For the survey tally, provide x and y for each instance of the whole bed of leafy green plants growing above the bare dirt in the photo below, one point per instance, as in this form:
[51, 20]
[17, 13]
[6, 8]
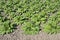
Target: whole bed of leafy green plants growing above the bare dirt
[32, 15]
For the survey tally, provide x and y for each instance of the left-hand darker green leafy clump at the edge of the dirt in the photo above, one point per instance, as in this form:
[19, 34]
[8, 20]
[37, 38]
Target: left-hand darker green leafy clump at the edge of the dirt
[5, 26]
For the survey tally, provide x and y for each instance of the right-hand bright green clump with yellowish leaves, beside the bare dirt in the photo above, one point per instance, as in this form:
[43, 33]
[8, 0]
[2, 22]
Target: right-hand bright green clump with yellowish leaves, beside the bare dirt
[53, 24]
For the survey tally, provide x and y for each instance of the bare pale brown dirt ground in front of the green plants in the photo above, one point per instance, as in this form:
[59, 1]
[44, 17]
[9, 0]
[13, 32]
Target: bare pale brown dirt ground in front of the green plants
[18, 35]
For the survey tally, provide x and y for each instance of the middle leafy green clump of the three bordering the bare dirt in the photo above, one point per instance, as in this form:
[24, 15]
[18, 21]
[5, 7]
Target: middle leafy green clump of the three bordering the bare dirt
[30, 28]
